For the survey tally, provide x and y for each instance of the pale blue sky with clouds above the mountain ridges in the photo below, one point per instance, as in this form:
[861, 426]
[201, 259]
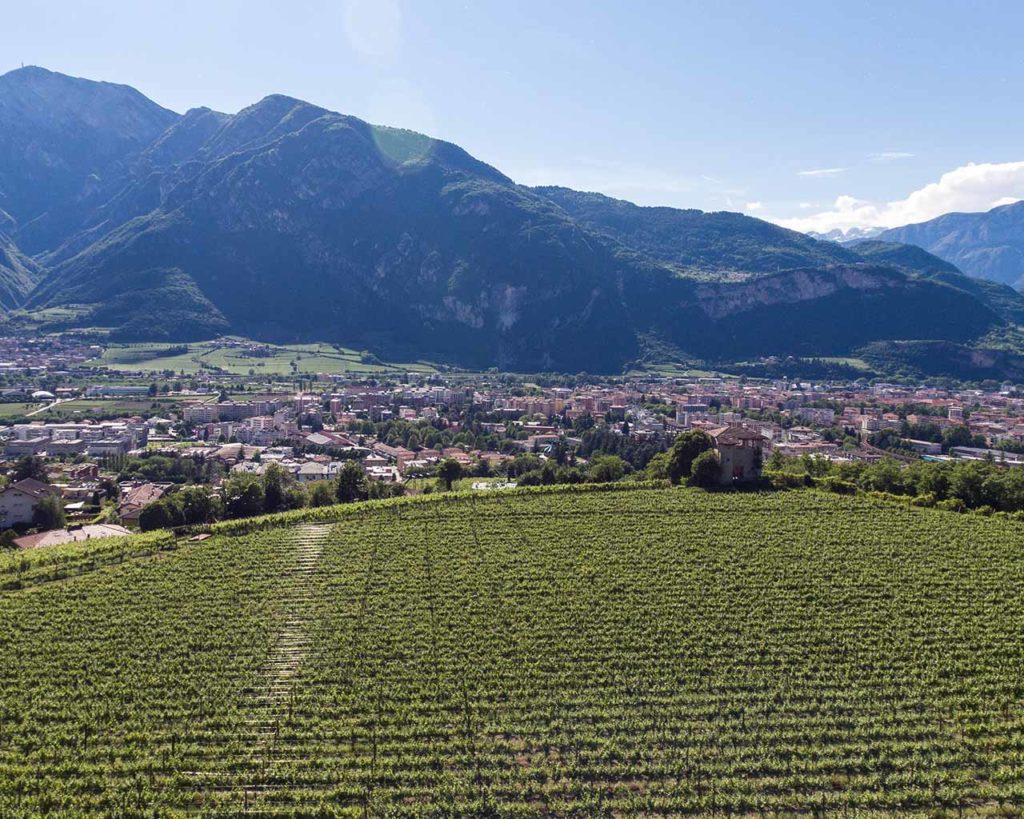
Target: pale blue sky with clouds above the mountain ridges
[817, 115]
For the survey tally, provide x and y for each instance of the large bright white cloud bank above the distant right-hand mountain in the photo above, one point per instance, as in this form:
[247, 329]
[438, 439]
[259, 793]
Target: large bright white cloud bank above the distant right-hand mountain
[970, 188]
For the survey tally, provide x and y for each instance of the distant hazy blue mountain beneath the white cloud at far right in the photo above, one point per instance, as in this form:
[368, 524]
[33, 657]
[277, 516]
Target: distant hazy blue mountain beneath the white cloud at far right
[983, 245]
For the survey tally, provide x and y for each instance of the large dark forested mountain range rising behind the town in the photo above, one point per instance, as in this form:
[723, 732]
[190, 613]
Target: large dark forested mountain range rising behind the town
[290, 223]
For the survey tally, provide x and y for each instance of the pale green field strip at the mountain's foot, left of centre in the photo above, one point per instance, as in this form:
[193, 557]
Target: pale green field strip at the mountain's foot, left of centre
[241, 358]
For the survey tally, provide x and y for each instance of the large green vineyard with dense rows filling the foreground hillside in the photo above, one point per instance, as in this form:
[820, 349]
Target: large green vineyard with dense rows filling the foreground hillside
[661, 653]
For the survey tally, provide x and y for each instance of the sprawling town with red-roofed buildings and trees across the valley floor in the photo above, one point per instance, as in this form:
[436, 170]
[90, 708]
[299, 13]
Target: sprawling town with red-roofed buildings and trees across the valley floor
[91, 452]
